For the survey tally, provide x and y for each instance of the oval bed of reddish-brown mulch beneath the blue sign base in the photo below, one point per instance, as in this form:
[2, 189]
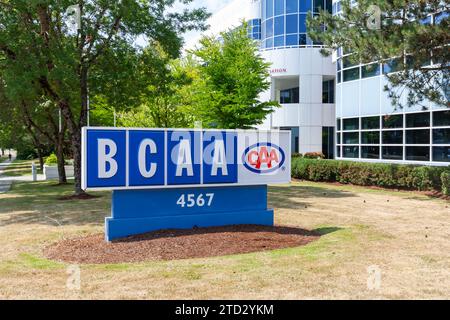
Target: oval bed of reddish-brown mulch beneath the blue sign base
[179, 244]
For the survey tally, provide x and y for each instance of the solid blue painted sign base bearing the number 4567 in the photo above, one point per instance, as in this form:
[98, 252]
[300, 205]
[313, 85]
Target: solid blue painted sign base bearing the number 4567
[139, 211]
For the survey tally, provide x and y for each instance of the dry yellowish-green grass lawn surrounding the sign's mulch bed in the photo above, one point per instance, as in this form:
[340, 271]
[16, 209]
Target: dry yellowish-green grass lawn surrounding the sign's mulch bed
[403, 234]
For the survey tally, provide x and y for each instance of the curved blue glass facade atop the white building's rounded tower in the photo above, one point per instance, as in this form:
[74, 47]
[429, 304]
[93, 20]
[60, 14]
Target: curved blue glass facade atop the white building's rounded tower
[284, 22]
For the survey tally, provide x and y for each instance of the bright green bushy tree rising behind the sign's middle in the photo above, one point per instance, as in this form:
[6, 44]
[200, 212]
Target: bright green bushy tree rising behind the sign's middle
[232, 77]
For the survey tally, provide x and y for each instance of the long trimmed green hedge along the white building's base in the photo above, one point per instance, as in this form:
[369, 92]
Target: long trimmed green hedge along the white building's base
[373, 174]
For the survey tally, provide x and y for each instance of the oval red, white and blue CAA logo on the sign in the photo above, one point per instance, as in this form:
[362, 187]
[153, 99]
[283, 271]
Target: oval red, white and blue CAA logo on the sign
[263, 157]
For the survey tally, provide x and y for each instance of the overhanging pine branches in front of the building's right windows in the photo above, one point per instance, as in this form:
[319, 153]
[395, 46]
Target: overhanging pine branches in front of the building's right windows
[410, 36]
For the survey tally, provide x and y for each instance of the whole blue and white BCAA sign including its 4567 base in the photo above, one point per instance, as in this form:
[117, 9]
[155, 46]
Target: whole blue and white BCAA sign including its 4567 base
[184, 178]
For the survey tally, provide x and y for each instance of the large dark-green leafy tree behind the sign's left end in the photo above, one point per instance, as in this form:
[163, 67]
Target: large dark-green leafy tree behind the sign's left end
[39, 50]
